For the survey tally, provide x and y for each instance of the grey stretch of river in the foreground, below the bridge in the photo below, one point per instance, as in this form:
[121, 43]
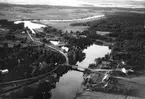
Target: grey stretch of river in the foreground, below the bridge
[67, 86]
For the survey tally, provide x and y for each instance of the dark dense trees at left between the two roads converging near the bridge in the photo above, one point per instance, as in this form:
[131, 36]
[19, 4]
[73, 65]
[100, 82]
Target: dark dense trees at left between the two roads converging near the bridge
[26, 61]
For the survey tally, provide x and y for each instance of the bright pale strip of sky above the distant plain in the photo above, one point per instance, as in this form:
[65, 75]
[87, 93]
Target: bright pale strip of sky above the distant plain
[99, 3]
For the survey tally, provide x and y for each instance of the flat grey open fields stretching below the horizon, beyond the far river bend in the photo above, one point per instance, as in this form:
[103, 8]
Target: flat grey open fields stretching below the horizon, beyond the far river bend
[18, 12]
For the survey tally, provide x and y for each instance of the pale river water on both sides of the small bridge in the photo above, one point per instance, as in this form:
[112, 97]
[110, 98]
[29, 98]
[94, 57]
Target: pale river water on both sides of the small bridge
[69, 83]
